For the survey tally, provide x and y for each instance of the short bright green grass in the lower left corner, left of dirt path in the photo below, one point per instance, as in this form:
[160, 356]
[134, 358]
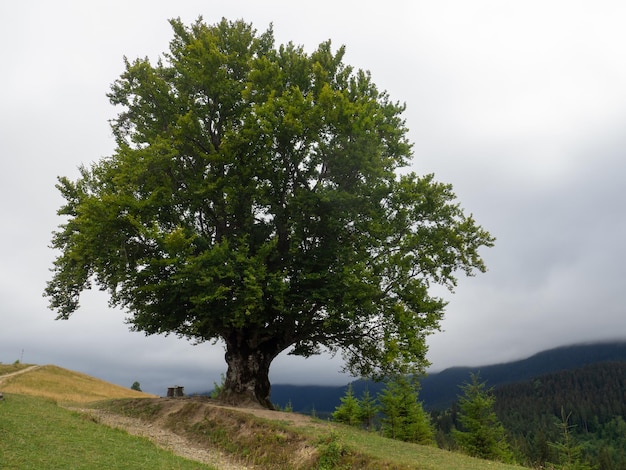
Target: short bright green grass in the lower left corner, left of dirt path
[35, 433]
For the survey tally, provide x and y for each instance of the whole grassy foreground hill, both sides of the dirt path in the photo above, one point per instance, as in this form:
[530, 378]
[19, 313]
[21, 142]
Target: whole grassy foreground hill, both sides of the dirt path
[36, 432]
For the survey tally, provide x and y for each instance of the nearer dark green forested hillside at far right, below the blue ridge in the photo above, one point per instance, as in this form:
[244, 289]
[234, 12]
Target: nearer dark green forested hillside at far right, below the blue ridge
[592, 398]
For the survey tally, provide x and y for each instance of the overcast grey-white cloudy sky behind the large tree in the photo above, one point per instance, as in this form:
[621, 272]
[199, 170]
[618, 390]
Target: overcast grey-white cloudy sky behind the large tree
[520, 105]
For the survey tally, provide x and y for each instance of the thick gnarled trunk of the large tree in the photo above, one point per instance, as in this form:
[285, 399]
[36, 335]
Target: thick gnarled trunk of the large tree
[247, 379]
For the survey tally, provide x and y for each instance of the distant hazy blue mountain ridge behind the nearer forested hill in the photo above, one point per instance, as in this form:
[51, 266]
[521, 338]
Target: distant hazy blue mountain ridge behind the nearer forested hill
[440, 390]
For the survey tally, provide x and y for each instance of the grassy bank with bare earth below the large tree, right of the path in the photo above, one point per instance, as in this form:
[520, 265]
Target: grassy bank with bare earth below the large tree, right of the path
[282, 440]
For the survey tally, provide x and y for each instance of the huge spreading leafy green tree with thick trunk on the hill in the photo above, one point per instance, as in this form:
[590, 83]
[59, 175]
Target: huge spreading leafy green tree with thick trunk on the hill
[255, 197]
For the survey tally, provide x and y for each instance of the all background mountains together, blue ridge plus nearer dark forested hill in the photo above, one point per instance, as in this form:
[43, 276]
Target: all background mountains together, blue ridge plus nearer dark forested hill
[586, 384]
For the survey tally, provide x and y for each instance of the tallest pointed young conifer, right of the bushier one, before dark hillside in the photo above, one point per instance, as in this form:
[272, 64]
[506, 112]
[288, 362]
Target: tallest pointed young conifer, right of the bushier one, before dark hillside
[481, 434]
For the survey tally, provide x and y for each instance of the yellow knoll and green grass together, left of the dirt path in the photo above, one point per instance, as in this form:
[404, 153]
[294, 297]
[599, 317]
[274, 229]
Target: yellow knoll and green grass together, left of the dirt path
[36, 432]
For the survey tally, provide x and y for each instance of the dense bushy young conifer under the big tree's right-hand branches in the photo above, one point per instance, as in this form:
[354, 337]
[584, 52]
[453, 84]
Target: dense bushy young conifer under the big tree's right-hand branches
[404, 417]
